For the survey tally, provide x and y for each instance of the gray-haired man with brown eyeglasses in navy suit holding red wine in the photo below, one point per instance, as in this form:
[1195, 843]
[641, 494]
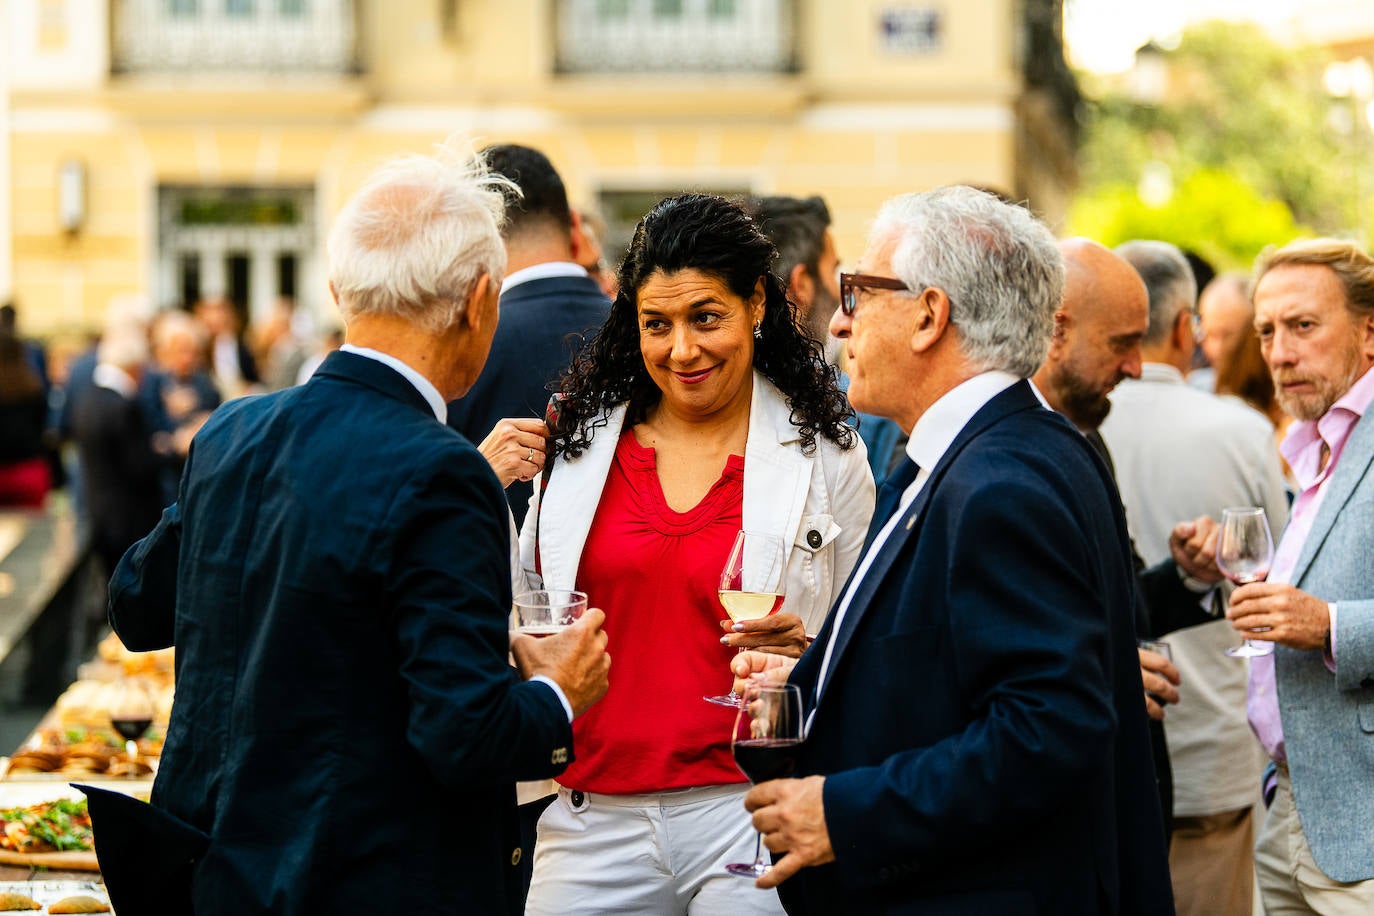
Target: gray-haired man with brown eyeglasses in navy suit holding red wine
[978, 741]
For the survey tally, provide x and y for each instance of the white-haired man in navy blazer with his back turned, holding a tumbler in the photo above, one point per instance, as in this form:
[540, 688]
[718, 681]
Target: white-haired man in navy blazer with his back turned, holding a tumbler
[348, 730]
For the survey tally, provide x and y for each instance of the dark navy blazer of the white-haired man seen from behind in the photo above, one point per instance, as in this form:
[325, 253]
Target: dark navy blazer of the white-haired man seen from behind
[347, 727]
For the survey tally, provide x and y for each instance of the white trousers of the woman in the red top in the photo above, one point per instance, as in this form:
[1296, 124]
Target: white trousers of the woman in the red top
[646, 856]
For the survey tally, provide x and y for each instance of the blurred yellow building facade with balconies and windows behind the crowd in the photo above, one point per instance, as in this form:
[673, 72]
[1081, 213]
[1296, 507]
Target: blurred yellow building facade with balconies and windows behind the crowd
[193, 148]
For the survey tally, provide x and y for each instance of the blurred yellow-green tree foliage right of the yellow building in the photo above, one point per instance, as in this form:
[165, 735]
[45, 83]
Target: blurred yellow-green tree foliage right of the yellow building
[1244, 134]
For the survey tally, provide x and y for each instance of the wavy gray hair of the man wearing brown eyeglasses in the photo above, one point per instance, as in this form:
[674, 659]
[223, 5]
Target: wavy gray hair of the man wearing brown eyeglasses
[998, 264]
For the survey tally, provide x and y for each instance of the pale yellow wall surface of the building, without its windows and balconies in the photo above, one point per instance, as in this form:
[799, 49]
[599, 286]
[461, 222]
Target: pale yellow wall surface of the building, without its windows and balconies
[857, 126]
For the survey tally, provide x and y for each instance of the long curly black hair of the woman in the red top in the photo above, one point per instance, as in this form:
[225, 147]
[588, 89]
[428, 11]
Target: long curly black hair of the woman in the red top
[717, 237]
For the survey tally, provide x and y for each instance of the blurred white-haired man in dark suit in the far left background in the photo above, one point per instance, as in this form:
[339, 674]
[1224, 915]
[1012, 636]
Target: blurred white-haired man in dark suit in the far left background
[120, 470]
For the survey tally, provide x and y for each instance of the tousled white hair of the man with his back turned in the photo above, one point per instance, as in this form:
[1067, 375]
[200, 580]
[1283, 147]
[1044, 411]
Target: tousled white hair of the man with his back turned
[417, 238]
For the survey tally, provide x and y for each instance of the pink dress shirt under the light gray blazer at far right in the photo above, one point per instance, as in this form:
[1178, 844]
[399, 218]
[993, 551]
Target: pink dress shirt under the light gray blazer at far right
[1303, 451]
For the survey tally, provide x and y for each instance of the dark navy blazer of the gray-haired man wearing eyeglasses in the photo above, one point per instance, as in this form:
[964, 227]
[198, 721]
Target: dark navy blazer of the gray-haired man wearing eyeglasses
[982, 727]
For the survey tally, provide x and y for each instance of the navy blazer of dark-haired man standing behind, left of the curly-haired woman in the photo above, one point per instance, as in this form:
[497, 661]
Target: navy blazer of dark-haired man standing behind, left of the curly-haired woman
[541, 330]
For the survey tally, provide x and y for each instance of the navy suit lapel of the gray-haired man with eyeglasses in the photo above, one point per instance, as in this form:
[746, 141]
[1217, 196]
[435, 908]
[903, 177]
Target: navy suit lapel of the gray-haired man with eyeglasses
[1019, 398]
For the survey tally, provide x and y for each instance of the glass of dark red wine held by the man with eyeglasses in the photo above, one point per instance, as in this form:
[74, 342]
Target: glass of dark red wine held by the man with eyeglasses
[767, 740]
